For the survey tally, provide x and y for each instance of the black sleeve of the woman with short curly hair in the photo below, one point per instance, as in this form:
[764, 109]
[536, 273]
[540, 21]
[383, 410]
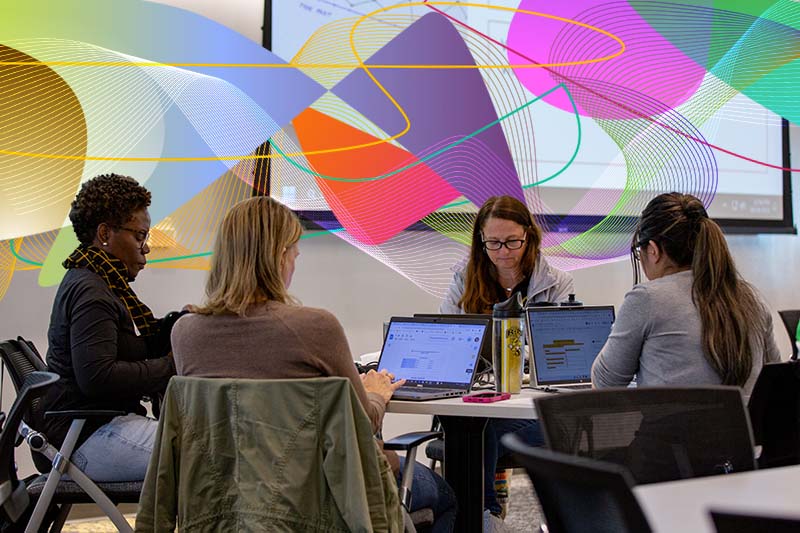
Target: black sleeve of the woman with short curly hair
[99, 371]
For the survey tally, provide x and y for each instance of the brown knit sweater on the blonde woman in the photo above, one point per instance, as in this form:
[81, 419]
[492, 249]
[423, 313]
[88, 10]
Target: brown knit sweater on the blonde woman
[274, 341]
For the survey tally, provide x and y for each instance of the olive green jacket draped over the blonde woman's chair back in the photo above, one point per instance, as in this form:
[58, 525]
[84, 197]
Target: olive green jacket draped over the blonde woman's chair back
[266, 455]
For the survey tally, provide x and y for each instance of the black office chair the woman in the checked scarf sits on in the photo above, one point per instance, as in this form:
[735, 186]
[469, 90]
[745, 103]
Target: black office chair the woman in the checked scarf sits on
[54, 495]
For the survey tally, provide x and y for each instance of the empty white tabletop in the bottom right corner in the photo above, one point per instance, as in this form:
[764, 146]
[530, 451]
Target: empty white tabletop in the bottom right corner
[684, 505]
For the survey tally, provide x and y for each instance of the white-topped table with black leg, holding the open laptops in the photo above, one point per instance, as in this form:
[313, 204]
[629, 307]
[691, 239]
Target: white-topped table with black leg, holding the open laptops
[463, 424]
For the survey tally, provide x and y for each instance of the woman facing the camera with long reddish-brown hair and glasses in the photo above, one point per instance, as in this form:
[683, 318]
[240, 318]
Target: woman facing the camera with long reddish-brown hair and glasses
[504, 258]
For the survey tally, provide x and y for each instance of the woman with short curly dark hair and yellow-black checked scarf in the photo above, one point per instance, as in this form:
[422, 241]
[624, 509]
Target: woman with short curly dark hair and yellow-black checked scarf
[103, 341]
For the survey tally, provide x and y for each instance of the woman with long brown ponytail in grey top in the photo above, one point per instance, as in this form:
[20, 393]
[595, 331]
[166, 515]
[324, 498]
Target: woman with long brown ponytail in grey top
[696, 321]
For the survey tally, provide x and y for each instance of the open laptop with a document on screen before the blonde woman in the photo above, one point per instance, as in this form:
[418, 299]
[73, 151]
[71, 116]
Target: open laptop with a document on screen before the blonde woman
[436, 356]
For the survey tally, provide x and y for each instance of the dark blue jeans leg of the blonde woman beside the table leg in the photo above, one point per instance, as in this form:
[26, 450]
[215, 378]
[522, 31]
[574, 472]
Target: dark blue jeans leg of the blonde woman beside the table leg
[430, 491]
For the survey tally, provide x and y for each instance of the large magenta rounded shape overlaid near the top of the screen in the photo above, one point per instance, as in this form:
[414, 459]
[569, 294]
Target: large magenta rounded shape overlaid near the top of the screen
[651, 65]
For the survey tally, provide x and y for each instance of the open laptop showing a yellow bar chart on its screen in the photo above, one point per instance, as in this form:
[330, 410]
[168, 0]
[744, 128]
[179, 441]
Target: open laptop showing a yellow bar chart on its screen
[563, 342]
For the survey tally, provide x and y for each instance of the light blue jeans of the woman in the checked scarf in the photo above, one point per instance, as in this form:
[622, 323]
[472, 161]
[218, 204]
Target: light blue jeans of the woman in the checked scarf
[119, 450]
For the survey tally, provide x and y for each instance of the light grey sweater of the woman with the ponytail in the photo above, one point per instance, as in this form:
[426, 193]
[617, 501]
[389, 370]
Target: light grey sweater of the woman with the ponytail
[657, 336]
